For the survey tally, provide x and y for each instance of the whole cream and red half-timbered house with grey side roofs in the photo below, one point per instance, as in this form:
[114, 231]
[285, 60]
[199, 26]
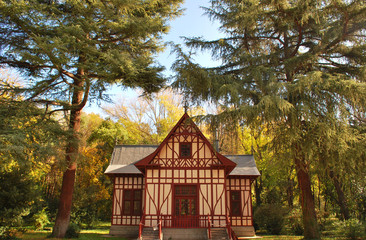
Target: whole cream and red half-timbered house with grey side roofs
[181, 189]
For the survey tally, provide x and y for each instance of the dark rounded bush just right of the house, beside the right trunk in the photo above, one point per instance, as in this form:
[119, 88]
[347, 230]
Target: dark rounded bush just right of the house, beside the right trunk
[270, 217]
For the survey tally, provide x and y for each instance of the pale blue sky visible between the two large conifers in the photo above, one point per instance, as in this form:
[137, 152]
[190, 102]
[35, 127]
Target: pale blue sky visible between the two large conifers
[192, 23]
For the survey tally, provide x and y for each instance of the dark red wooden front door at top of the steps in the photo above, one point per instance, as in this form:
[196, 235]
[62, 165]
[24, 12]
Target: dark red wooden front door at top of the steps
[185, 206]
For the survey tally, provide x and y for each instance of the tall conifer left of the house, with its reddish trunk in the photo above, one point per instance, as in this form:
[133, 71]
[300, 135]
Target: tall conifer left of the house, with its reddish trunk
[72, 50]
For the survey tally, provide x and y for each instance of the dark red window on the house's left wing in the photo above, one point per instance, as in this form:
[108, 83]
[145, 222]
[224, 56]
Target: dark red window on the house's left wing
[132, 200]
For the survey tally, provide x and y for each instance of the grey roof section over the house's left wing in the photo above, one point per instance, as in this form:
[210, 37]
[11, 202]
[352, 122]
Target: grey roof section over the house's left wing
[124, 156]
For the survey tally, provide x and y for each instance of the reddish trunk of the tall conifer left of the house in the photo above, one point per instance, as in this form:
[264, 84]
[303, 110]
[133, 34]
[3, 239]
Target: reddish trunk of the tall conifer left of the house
[72, 151]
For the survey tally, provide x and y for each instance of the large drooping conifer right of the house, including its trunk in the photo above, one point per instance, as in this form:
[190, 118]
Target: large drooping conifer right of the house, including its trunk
[299, 65]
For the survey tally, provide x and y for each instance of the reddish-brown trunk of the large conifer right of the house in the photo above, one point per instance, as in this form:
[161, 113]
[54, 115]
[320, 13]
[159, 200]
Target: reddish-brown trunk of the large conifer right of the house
[311, 230]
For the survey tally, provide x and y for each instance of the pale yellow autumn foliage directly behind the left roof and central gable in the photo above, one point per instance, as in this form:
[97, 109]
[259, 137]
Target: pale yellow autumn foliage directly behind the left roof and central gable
[147, 120]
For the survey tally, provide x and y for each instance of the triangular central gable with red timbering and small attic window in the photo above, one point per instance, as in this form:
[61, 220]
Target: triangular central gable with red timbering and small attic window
[185, 147]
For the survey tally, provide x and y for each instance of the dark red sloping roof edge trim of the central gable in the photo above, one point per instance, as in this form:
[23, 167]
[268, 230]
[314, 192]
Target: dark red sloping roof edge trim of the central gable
[229, 165]
